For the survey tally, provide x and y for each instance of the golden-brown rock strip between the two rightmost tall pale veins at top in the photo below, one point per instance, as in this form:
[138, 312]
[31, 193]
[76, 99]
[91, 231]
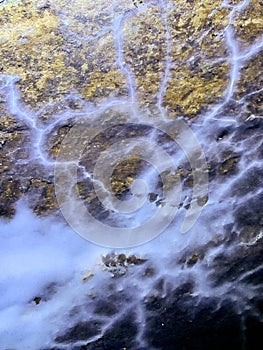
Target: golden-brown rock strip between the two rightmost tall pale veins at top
[197, 78]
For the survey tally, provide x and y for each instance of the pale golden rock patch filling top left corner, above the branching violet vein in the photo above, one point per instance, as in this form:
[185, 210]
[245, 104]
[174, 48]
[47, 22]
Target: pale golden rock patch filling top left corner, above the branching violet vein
[49, 59]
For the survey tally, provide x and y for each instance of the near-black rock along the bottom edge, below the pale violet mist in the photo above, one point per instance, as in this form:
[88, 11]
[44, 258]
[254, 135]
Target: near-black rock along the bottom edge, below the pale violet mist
[180, 320]
